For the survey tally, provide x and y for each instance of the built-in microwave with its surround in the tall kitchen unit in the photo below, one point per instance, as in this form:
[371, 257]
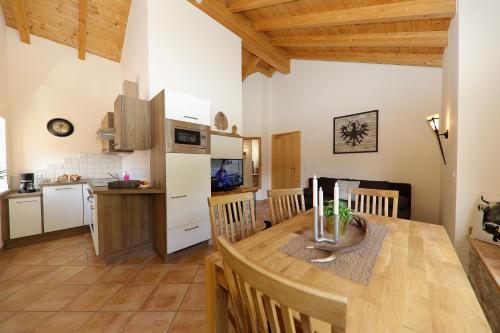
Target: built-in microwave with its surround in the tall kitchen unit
[187, 138]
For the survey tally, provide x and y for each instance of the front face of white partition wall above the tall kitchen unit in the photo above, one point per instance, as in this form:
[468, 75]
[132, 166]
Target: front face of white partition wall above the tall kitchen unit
[192, 53]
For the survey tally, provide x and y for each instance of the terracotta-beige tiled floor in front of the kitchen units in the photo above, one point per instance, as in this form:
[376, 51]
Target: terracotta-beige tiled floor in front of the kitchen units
[61, 286]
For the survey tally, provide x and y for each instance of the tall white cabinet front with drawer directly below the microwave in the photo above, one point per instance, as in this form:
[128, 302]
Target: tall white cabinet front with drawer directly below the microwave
[188, 187]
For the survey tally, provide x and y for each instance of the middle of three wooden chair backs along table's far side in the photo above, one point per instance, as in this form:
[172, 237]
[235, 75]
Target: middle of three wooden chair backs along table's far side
[285, 204]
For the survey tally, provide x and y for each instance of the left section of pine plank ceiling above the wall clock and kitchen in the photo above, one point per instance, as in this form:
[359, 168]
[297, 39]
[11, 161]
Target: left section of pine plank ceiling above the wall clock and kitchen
[93, 26]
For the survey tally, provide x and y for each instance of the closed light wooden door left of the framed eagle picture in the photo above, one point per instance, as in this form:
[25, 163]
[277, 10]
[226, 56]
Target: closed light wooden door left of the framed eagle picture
[286, 160]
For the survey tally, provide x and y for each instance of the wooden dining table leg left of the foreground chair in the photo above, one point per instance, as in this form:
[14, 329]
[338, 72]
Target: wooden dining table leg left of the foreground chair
[217, 301]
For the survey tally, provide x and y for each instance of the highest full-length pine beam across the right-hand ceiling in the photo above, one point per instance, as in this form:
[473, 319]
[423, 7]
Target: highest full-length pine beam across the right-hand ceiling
[397, 11]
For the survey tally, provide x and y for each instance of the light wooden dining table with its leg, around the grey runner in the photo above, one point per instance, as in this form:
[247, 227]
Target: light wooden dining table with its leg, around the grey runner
[417, 283]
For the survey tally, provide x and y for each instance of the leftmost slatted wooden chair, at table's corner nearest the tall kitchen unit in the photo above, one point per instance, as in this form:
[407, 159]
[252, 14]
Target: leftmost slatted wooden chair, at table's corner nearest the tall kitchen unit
[232, 216]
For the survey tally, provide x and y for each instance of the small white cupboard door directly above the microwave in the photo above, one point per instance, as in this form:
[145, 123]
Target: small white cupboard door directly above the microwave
[188, 108]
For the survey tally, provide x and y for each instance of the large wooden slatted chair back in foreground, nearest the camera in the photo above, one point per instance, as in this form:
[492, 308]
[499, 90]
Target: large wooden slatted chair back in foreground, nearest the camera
[263, 300]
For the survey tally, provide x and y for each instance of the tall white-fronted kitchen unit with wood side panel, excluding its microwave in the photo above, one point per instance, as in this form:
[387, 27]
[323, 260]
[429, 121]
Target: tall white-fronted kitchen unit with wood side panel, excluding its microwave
[185, 176]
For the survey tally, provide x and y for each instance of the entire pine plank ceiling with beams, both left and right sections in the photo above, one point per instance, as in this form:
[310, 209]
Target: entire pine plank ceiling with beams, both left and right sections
[403, 32]
